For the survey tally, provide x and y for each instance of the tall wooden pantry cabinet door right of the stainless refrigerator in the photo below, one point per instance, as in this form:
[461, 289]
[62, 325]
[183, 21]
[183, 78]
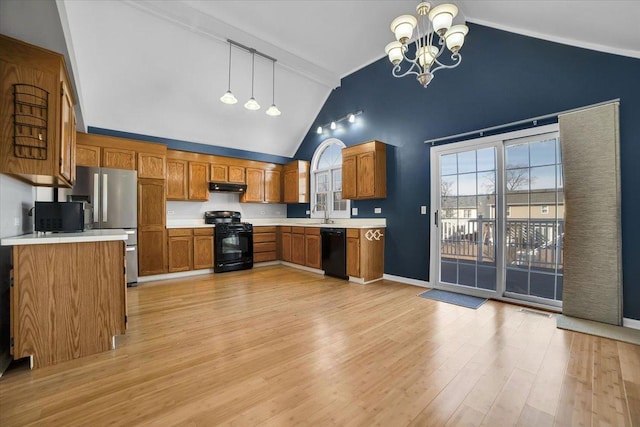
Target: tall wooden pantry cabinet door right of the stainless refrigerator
[152, 255]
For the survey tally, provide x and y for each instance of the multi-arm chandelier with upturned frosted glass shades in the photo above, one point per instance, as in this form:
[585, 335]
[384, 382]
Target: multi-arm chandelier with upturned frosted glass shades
[438, 20]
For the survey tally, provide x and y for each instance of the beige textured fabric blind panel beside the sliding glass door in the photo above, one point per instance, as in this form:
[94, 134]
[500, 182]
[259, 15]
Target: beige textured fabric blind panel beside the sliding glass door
[592, 240]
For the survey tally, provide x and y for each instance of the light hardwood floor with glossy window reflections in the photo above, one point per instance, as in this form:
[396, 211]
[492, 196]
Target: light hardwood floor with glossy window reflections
[276, 346]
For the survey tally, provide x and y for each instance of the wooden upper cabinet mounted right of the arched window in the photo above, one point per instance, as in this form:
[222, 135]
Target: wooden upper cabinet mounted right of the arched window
[364, 171]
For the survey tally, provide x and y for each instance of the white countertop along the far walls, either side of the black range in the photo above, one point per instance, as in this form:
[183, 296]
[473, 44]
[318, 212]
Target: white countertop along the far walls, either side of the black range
[296, 222]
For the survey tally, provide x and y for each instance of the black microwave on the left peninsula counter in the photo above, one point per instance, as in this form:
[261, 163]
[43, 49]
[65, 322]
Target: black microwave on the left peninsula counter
[59, 216]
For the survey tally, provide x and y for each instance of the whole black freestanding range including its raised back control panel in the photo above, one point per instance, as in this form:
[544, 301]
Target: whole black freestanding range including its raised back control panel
[232, 242]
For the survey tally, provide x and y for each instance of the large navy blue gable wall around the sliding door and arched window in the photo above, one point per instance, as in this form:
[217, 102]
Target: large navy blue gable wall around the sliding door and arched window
[503, 78]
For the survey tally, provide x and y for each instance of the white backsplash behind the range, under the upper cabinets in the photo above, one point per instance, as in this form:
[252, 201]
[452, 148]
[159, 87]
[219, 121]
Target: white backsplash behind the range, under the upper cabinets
[221, 202]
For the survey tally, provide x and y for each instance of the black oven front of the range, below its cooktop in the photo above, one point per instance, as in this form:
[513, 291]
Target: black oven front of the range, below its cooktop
[233, 250]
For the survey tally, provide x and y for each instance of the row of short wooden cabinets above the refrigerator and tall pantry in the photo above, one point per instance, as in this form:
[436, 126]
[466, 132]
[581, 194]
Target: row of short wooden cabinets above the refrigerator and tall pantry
[149, 159]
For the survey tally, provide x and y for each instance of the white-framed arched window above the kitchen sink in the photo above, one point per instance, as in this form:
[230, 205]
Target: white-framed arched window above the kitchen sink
[326, 181]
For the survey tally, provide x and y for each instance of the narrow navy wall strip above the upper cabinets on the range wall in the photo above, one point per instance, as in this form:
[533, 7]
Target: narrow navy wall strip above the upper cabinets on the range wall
[176, 144]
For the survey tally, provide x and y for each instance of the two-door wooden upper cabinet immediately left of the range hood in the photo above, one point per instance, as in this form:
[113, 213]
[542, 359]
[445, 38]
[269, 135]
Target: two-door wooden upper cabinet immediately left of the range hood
[187, 176]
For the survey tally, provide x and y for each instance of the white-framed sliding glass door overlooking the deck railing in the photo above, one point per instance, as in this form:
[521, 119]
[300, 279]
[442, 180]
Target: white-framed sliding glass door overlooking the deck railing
[498, 216]
